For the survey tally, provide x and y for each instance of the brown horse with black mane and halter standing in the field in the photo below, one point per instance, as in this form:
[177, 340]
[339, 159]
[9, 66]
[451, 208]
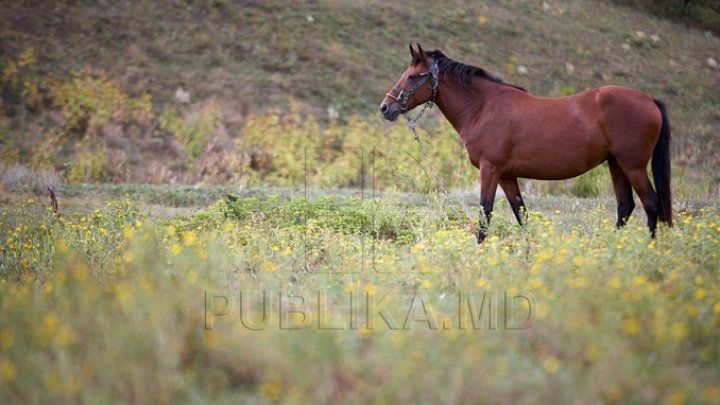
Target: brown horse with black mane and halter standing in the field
[509, 133]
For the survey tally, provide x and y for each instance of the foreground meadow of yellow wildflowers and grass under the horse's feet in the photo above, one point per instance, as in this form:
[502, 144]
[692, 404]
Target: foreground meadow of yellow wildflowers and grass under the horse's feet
[332, 298]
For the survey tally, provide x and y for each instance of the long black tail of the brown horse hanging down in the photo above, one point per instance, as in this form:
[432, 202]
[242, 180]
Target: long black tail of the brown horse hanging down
[661, 167]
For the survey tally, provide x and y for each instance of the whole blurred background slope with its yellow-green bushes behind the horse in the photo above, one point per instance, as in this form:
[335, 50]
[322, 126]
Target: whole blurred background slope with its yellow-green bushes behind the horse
[228, 92]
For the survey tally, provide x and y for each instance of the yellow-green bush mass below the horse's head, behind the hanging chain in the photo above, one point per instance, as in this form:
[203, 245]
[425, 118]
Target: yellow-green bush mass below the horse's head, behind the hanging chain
[292, 150]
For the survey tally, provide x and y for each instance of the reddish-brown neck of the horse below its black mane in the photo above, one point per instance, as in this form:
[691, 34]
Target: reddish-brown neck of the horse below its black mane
[462, 105]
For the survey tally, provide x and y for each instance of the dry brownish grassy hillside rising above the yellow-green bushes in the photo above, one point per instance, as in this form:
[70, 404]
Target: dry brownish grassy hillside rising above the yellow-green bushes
[184, 61]
